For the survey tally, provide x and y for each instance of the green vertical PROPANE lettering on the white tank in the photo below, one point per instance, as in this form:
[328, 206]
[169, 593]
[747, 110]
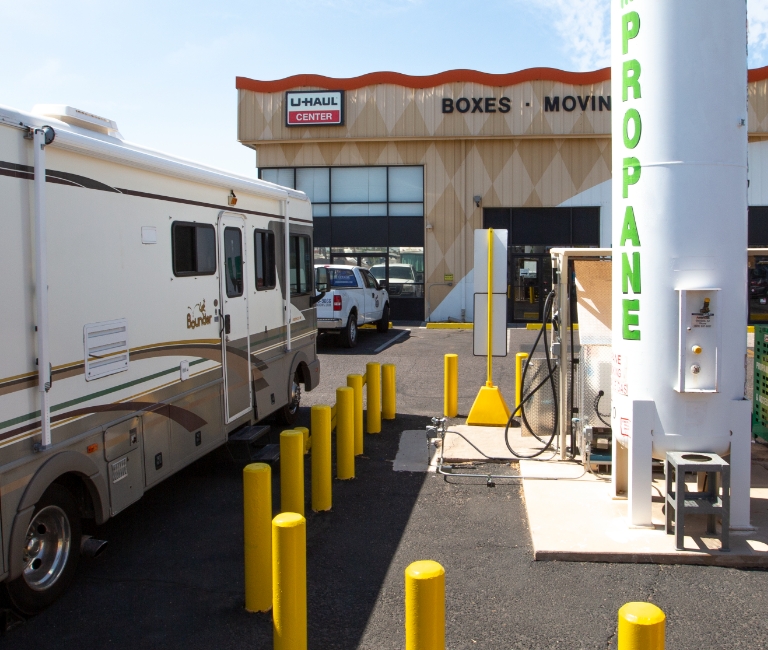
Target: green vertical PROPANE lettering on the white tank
[631, 172]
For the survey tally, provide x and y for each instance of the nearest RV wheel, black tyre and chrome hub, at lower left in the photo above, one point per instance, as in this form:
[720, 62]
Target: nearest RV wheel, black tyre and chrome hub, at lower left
[51, 553]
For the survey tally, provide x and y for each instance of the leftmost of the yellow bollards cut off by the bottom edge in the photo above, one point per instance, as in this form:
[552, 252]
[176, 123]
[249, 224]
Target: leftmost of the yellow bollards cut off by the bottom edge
[289, 581]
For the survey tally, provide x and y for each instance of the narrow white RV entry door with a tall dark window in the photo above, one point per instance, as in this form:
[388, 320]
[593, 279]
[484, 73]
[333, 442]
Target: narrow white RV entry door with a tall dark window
[236, 349]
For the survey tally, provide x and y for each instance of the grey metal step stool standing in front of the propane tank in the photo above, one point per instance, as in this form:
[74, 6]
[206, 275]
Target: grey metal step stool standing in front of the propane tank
[705, 502]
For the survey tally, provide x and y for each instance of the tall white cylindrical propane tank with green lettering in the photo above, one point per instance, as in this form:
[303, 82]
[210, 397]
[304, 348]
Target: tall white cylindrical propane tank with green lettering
[679, 87]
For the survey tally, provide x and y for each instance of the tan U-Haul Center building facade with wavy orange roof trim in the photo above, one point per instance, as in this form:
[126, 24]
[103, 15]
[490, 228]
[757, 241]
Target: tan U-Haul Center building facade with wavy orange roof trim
[401, 170]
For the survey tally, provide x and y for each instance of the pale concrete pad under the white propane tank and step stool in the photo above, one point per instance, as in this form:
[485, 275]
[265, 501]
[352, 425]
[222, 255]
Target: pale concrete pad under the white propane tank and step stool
[573, 518]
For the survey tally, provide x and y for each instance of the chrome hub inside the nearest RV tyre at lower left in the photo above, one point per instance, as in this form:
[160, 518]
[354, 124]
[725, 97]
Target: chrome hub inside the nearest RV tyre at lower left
[47, 548]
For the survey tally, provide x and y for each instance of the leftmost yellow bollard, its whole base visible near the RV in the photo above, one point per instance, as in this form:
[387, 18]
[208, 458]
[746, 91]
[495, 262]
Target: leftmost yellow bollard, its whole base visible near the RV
[257, 521]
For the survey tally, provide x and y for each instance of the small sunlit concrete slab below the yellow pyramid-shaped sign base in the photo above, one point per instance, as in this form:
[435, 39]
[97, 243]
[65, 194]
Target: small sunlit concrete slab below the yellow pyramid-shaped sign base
[490, 440]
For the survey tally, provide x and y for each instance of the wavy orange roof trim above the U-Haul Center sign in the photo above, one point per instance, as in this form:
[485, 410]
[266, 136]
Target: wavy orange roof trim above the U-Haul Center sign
[430, 81]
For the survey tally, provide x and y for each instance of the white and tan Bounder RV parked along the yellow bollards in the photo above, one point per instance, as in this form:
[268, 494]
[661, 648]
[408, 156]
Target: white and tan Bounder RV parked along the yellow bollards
[152, 307]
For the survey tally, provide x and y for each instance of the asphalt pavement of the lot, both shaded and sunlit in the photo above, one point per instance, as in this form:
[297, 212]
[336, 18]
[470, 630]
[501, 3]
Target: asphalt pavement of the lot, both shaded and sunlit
[172, 576]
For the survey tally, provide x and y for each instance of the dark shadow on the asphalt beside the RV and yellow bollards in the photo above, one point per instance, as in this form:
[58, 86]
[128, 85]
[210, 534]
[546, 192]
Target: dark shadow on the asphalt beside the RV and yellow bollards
[172, 575]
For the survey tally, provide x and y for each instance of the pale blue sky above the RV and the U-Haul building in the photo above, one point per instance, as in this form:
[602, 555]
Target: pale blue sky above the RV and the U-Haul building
[165, 71]
